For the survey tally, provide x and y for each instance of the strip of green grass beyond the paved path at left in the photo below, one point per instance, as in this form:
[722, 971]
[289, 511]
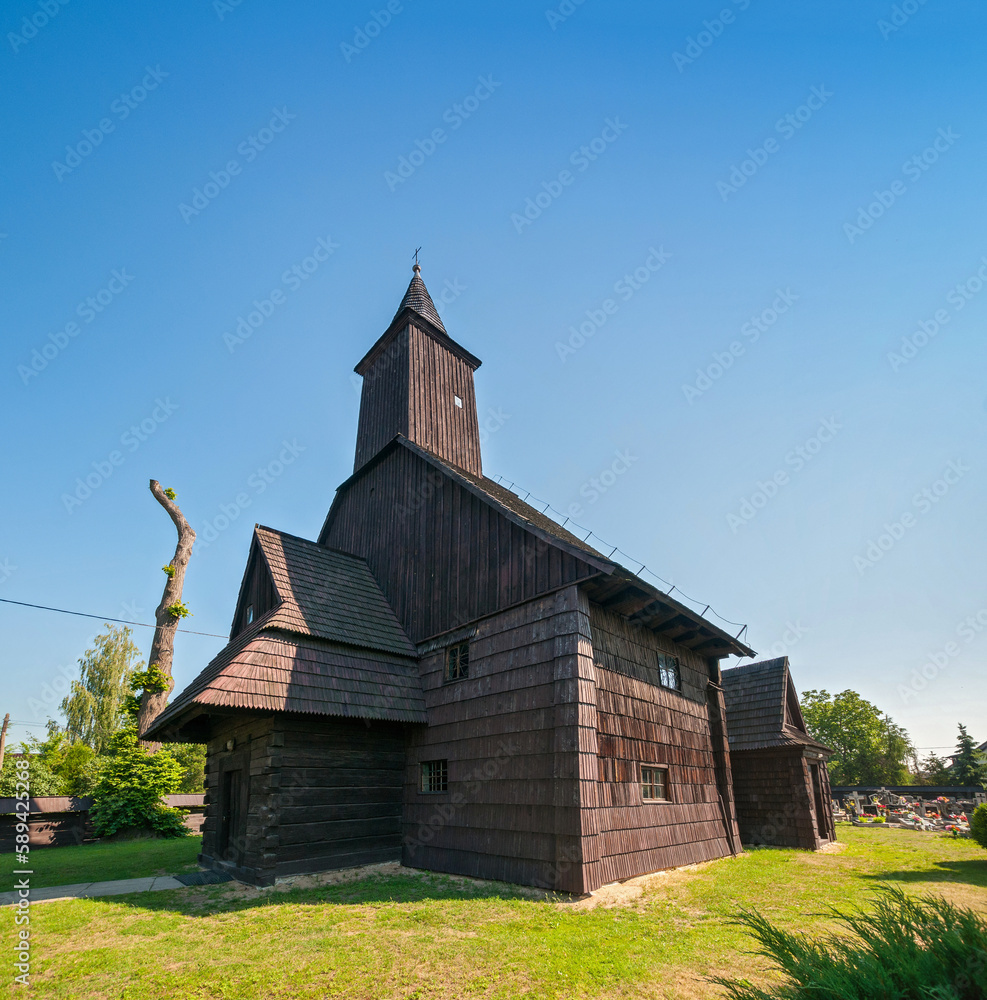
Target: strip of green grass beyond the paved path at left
[102, 861]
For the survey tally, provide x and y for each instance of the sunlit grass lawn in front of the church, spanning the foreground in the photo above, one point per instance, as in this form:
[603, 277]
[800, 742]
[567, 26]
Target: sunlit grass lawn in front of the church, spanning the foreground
[428, 936]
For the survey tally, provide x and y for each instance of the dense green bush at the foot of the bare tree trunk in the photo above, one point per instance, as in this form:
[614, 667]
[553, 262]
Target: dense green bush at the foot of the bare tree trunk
[130, 789]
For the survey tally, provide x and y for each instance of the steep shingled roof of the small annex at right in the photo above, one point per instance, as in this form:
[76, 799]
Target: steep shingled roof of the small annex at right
[763, 708]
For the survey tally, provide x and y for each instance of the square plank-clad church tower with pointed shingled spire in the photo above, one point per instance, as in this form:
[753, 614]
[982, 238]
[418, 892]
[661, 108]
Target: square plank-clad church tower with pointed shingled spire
[418, 382]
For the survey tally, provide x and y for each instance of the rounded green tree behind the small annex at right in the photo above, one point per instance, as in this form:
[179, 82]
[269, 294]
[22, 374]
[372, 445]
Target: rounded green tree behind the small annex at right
[869, 747]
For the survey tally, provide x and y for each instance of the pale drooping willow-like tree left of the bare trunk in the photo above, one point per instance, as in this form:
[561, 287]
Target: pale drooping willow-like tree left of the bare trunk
[94, 706]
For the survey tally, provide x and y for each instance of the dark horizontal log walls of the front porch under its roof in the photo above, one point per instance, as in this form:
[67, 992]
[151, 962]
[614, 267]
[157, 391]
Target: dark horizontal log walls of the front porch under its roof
[323, 793]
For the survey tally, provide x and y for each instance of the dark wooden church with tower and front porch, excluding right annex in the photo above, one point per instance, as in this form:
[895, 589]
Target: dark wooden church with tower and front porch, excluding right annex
[449, 678]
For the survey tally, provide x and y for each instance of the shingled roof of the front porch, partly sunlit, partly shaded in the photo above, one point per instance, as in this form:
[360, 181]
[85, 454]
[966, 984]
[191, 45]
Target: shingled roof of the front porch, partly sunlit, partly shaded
[331, 645]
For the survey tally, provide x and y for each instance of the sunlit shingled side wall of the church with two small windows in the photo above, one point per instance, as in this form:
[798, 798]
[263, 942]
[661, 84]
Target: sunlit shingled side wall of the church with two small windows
[641, 722]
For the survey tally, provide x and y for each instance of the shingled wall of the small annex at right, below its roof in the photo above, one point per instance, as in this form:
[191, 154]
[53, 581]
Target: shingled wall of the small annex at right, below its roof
[771, 789]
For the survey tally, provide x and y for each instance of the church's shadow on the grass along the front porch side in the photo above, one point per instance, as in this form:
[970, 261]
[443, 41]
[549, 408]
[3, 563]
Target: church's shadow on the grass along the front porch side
[203, 901]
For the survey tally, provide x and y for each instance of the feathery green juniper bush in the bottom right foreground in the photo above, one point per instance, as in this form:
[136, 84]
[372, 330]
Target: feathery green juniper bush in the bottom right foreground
[910, 949]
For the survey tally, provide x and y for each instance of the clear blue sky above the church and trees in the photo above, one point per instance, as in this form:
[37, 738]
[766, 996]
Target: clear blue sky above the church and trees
[768, 223]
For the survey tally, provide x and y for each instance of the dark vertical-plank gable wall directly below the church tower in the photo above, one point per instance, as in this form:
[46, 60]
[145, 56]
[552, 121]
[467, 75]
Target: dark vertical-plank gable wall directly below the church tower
[459, 558]
